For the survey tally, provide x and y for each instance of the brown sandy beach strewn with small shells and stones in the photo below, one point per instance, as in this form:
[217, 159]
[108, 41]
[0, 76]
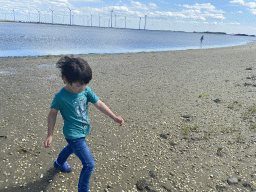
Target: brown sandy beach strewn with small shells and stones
[190, 122]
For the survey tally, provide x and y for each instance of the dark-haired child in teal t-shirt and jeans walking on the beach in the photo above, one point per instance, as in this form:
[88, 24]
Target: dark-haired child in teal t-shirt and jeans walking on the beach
[72, 102]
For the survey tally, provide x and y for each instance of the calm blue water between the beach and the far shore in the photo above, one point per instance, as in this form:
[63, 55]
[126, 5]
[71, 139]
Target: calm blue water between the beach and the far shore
[25, 39]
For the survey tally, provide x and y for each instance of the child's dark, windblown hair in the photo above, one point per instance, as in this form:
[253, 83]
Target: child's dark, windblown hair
[75, 70]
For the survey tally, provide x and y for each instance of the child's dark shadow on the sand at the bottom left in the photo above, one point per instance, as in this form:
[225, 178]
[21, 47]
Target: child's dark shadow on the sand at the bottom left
[37, 186]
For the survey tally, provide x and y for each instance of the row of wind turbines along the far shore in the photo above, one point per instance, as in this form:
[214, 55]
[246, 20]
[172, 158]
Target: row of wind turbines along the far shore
[39, 12]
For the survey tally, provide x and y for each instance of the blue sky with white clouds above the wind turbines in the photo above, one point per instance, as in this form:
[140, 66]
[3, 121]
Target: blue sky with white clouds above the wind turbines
[230, 16]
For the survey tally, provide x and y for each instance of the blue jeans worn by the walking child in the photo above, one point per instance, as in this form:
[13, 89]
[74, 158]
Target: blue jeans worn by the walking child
[81, 150]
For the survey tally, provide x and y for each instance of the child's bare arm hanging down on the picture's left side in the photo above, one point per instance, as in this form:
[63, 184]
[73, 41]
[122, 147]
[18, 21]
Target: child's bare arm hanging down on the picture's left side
[51, 123]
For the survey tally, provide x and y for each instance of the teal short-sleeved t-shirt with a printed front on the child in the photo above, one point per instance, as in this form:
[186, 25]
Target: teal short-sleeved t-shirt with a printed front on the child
[74, 110]
